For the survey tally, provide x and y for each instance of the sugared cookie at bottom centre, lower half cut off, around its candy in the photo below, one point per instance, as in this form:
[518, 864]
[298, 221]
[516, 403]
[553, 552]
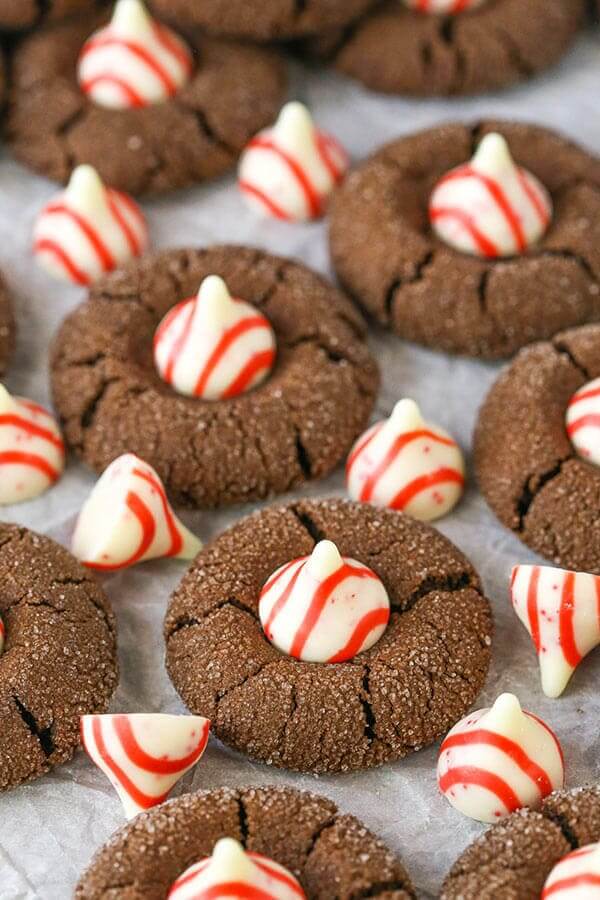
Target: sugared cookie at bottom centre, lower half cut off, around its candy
[331, 854]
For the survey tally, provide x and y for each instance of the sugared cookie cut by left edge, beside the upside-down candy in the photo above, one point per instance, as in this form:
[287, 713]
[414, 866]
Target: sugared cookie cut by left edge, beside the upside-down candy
[59, 659]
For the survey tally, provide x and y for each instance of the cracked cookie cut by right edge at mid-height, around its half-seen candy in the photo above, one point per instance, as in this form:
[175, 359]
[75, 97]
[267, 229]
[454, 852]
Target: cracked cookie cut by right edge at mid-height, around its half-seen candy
[526, 465]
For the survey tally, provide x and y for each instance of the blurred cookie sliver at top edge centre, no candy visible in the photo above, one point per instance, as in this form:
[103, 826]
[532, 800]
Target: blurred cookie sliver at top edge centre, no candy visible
[260, 20]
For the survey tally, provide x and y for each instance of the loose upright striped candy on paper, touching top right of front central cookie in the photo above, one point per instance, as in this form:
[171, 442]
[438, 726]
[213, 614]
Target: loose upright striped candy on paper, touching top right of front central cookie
[405, 463]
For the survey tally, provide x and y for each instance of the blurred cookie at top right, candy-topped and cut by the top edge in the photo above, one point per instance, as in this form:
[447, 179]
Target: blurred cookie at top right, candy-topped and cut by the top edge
[401, 51]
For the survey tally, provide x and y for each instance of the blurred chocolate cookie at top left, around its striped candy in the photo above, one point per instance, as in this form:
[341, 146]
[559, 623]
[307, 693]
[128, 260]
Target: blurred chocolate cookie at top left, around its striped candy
[52, 127]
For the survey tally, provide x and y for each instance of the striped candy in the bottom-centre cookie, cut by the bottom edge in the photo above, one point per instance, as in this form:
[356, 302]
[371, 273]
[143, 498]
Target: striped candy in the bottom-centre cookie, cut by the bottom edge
[232, 872]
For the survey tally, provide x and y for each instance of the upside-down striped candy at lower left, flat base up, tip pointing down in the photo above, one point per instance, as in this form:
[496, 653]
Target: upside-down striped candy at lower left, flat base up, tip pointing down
[144, 754]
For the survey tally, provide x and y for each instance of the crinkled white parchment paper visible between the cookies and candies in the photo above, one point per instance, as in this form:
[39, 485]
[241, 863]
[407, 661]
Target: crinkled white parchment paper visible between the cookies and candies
[50, 829]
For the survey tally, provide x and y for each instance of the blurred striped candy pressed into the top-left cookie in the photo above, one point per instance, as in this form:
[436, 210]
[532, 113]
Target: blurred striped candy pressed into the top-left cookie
[134, 61]
